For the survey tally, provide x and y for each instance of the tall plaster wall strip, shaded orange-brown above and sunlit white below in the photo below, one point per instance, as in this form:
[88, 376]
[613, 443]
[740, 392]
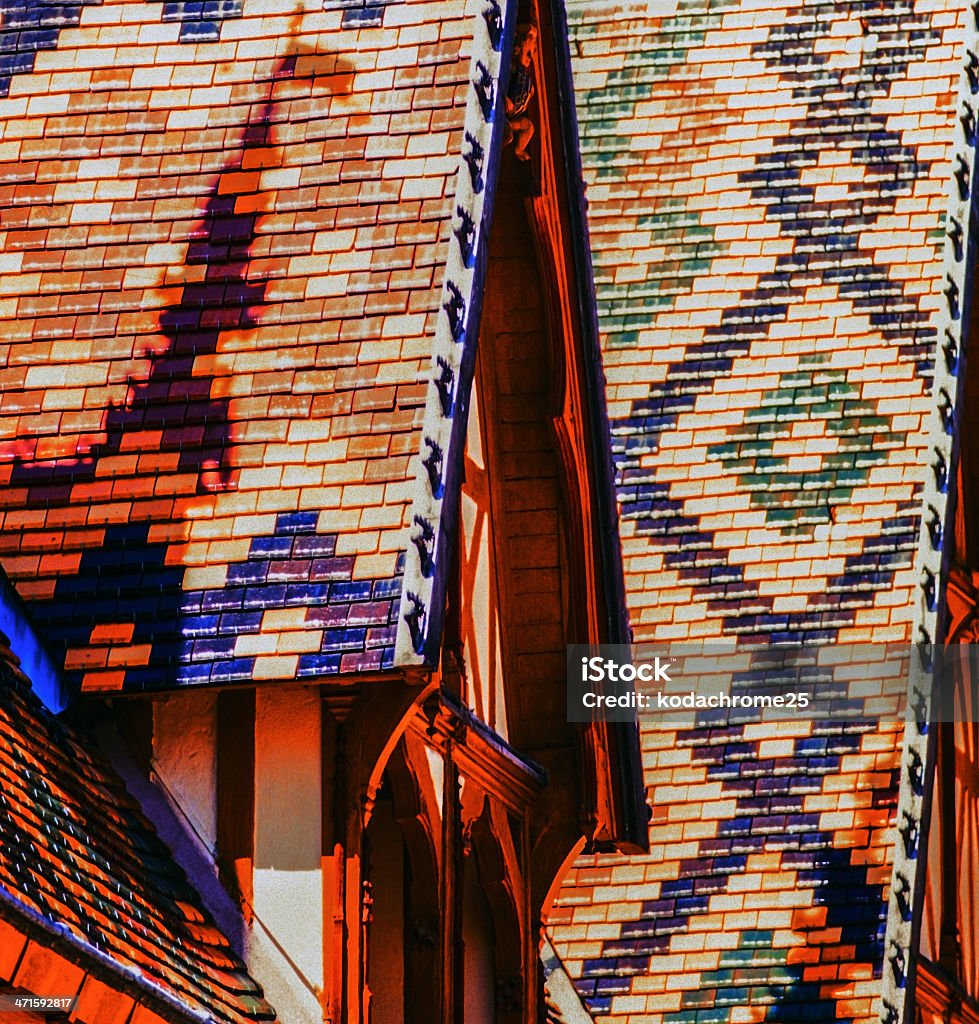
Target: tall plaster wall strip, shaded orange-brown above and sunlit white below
[285, 949]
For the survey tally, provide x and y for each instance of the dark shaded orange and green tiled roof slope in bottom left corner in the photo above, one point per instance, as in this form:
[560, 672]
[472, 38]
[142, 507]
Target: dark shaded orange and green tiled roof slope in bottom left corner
[78, 858]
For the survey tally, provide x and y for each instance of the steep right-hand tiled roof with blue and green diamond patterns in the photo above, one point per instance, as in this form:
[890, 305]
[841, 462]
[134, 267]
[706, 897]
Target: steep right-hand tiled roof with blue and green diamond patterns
[767, 188]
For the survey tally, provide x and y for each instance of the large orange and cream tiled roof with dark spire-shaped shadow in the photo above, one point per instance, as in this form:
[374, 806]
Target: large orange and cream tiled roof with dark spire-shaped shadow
[227, 229]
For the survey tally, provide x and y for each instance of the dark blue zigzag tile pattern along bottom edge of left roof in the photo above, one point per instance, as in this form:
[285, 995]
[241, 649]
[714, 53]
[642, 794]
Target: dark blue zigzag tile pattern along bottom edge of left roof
[291, 610]
